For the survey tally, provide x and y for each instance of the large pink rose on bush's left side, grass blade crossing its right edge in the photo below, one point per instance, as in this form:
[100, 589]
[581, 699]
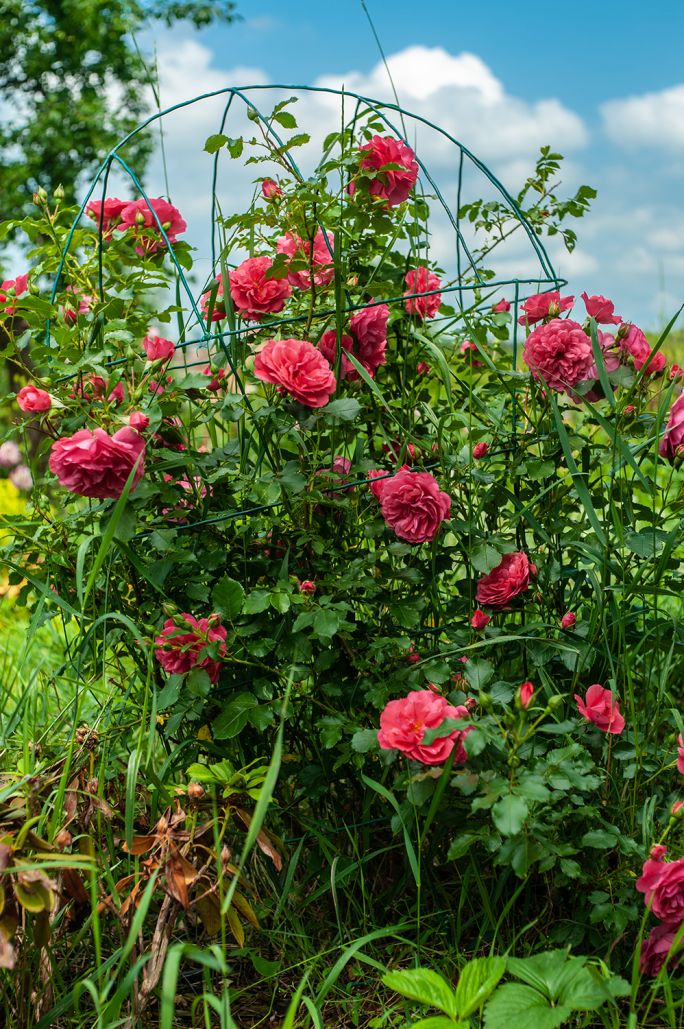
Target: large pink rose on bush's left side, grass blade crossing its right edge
[95, 465]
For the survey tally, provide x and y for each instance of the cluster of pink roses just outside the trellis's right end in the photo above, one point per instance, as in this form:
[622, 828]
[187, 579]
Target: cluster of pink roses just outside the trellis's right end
[559, 352]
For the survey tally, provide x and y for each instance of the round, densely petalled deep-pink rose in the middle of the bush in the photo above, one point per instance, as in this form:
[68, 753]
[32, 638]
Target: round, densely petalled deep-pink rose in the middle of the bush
[414, 507]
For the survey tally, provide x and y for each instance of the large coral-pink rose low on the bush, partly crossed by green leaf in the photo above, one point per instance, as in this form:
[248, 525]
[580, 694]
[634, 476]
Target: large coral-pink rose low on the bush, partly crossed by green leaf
[404, 724]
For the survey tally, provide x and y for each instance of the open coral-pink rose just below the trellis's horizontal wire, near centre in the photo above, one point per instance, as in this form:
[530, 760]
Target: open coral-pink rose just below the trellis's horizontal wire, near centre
[299, 369]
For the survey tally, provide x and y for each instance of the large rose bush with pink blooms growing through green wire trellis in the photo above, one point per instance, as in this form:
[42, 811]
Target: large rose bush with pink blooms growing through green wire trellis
[364, 502]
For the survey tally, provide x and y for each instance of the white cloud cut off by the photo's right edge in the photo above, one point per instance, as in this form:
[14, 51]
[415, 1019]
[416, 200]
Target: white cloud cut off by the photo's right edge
[655, 120]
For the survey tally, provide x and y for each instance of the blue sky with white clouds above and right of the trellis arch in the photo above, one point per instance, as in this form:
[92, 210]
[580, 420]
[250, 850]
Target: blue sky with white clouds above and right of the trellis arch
[602, 83]
